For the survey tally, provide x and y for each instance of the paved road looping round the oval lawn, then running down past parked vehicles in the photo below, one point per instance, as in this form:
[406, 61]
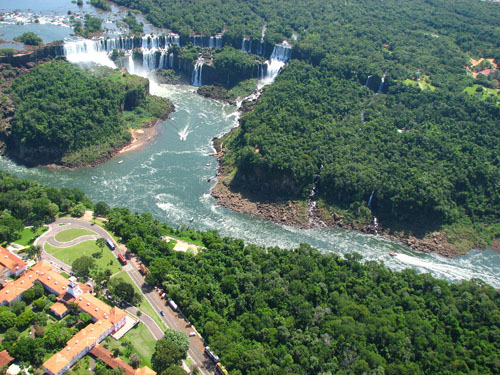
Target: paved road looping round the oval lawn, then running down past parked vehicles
[171, 318]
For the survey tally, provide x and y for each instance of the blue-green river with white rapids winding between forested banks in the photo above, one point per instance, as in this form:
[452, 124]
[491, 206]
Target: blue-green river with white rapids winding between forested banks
[169, 178]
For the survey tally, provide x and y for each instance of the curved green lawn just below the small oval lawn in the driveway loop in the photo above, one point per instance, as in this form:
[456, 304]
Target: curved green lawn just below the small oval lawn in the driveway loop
[69, 254]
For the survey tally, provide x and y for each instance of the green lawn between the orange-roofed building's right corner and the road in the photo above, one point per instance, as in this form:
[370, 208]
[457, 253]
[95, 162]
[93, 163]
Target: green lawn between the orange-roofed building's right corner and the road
[141, 340]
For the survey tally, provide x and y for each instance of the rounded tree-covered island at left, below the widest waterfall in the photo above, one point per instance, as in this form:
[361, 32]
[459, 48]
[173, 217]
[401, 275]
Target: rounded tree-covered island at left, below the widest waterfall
[57, 113]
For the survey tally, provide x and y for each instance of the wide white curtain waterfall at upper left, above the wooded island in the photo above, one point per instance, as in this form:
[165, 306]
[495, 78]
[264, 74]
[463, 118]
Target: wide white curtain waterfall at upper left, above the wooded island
[154, 50]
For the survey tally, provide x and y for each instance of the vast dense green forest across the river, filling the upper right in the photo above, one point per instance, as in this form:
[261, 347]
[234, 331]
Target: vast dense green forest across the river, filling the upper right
[379, 112]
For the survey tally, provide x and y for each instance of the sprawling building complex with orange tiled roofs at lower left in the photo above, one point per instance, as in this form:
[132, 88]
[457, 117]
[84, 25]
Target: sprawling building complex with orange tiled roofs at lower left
[106, 320]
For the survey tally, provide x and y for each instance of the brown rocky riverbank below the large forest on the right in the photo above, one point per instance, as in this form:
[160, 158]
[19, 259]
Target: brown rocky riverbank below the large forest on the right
[306, 214]
